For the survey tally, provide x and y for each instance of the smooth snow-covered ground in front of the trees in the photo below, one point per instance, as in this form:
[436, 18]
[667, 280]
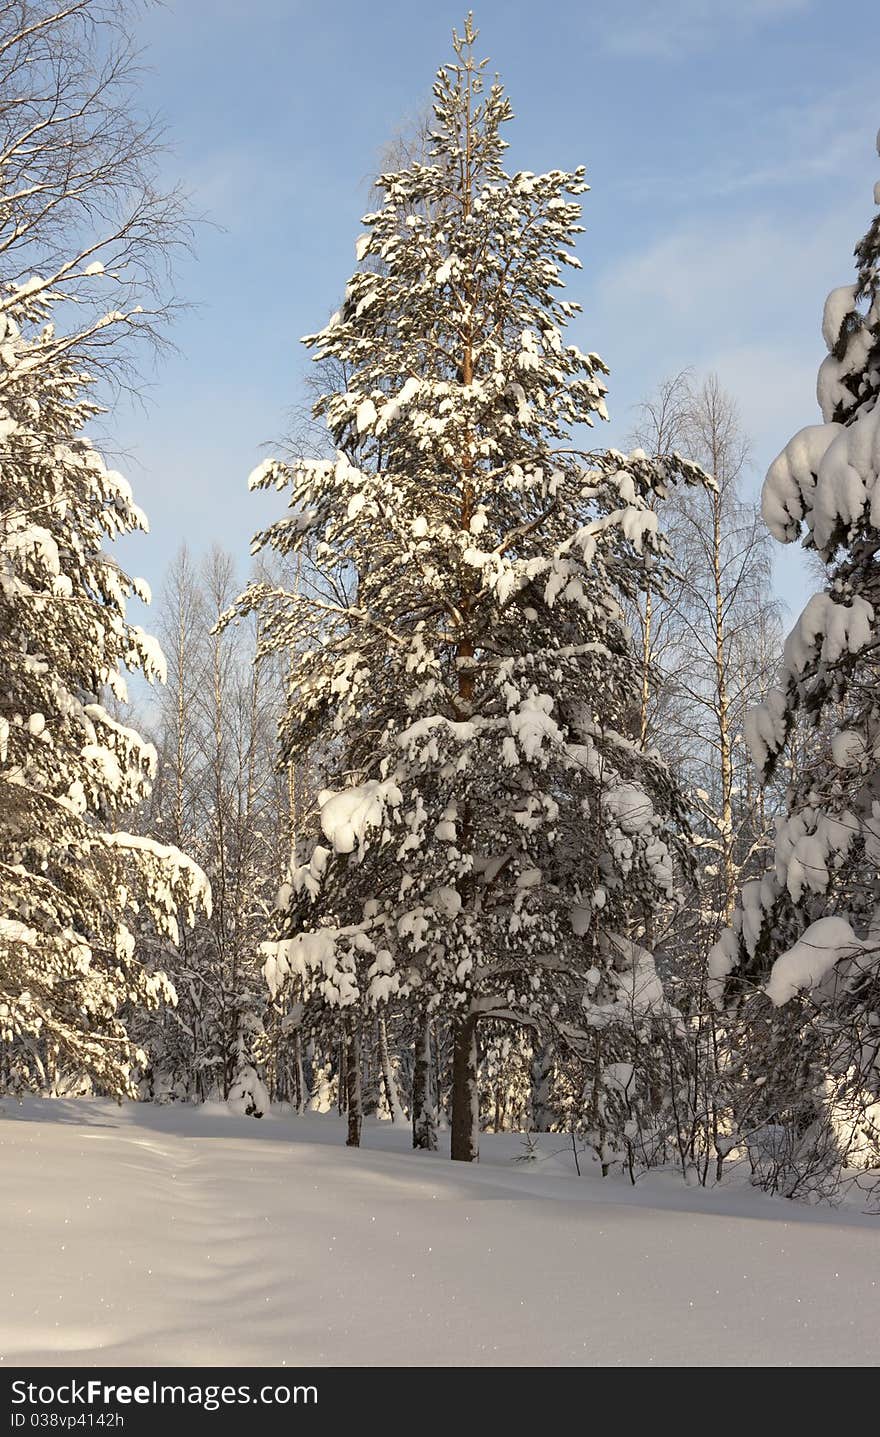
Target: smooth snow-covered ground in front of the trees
[166, 1235]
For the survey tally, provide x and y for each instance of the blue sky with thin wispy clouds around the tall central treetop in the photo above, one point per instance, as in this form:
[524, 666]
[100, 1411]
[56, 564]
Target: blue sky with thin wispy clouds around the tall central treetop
[730, 146]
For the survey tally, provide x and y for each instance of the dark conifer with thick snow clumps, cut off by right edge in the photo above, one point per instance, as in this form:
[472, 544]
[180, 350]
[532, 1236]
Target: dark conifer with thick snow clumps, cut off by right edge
[812, 926]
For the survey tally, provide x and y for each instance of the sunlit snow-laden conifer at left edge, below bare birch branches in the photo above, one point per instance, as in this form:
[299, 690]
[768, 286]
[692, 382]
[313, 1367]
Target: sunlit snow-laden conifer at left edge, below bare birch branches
[73, 889]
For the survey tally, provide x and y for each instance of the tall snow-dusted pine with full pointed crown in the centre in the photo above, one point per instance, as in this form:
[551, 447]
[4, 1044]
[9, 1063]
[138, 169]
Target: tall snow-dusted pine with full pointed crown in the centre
[492, 838]
